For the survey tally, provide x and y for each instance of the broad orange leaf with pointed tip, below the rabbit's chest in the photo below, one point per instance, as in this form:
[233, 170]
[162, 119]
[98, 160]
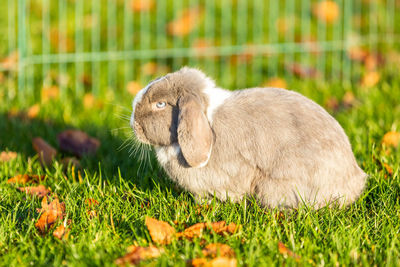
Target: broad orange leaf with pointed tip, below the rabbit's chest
[160, 232]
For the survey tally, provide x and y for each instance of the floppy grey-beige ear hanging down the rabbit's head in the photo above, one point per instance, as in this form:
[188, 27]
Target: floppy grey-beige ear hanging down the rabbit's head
[194, 132]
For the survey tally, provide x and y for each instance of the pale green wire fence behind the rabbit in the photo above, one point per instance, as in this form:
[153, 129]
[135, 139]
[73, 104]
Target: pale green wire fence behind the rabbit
[98, 45]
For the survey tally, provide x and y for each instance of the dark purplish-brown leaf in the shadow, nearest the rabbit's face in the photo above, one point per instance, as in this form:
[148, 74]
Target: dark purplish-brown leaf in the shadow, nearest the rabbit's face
[77, 142]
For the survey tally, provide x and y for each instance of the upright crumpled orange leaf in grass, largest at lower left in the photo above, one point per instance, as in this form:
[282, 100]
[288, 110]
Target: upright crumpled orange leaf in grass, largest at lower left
[51, 212]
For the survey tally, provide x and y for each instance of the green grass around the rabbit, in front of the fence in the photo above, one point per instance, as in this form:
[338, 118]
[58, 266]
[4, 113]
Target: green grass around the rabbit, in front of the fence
[129, 189]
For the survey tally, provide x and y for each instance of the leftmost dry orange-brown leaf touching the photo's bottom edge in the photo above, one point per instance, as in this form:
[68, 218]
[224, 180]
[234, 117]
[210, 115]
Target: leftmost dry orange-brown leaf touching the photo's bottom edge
[137, 254]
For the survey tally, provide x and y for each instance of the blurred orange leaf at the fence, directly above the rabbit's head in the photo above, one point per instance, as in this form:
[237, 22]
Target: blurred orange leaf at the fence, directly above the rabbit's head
[186, 22]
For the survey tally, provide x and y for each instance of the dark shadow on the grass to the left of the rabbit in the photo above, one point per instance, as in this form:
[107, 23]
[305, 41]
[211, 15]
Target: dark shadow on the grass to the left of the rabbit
[16, 133]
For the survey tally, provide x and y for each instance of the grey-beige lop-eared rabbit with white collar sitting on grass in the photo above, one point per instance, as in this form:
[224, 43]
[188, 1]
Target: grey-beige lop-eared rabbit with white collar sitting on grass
[272, 144]
